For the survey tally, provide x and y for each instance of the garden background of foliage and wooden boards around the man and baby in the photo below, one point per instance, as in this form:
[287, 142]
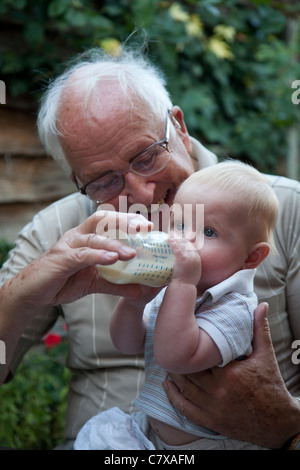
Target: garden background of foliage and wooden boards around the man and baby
[233, 67]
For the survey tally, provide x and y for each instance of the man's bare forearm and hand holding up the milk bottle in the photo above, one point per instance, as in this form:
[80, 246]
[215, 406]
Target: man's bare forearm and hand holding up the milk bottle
[65, 273]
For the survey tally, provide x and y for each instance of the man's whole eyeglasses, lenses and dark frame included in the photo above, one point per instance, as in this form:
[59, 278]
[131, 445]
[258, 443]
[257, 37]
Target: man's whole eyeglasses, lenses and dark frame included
[150, 161]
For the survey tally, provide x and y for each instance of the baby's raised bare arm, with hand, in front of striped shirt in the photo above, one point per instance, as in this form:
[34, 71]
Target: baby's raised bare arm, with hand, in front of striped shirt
[180, 345]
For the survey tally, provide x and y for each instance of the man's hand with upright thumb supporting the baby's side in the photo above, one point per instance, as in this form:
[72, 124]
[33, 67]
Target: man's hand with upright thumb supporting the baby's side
[245, 400]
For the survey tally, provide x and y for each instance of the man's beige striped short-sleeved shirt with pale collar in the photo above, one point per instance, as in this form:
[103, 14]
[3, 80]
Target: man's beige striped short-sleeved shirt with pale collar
[102, 377]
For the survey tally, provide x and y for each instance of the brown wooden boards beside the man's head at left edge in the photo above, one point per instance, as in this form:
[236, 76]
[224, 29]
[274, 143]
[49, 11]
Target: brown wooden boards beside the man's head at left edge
[29, 180]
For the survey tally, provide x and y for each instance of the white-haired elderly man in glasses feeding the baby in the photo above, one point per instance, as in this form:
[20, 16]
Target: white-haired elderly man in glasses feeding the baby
[111, 123]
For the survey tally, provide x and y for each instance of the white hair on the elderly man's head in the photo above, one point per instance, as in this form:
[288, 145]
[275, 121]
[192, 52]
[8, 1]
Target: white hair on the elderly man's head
[136, 76]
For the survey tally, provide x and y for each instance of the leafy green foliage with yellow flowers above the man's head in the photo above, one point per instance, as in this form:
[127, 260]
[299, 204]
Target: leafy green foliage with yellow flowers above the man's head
[228, 64]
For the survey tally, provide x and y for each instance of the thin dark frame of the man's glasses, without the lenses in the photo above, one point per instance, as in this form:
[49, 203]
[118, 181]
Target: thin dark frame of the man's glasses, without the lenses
[163, 143]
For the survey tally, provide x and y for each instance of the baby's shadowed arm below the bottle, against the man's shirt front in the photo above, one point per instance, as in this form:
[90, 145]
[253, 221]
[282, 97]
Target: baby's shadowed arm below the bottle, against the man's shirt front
[128, 325]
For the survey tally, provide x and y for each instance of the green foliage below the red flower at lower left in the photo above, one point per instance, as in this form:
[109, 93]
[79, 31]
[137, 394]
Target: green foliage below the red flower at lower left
[33, 404]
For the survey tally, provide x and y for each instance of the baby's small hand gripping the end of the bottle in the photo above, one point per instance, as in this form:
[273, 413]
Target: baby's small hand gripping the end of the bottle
[187, 261]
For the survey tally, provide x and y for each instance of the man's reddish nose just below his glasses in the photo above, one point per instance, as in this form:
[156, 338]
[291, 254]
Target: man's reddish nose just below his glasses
[138, 189]
